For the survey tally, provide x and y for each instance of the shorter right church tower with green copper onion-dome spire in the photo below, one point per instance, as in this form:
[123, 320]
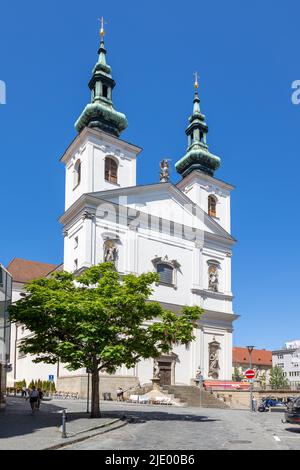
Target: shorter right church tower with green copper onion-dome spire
[197, 168]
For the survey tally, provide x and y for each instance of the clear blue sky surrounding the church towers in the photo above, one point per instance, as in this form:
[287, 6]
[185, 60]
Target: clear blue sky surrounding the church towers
[247, 58]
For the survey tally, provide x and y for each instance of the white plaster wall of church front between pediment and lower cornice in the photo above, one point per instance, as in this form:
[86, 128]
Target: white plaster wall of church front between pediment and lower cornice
[137, 249]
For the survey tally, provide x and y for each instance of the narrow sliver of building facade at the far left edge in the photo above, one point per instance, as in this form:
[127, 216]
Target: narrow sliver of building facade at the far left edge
[5, 300]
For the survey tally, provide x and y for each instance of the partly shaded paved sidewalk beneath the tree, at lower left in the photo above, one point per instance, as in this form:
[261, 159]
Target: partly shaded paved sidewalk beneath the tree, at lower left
[19, 429]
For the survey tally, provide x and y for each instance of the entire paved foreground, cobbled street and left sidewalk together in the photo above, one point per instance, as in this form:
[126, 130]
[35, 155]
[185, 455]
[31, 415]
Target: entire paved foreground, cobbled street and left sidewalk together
[151, 427]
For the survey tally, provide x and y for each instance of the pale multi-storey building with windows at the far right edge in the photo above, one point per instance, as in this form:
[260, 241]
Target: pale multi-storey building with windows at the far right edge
[288, 358]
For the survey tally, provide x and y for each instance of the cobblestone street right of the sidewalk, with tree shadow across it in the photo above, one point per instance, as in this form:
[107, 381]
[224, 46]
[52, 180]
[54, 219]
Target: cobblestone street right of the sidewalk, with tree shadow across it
[160, 428]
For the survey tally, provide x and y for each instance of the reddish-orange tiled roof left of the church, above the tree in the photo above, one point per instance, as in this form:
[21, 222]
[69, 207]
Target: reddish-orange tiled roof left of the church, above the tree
[23, 270]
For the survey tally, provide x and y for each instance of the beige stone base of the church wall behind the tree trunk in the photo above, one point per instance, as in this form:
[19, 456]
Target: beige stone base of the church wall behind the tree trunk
[108, 384]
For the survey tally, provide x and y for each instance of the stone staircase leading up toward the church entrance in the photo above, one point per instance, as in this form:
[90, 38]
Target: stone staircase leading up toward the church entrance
[189, 395]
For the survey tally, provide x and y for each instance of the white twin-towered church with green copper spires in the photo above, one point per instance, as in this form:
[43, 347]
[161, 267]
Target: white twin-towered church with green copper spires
[181, 231]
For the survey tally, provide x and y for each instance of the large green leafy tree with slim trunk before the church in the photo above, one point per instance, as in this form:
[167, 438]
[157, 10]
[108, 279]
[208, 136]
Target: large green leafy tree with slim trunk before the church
[99, 322]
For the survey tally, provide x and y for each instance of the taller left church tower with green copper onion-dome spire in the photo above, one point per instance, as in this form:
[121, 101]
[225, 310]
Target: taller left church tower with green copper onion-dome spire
[97, 159]
